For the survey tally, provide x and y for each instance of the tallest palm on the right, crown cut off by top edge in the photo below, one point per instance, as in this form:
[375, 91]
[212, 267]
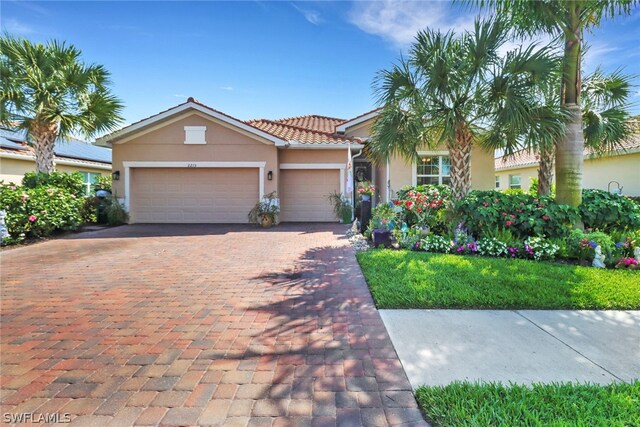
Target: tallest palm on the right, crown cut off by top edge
[567, 20]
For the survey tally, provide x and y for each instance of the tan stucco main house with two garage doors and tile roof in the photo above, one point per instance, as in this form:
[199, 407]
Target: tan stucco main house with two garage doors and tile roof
[192, 163]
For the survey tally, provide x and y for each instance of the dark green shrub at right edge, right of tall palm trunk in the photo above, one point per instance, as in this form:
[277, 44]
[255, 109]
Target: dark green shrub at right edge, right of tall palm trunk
[607, 211]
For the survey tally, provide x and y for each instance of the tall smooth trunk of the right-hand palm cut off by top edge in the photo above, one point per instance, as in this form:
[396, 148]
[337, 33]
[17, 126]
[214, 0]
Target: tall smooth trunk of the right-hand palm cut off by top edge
[570, 150]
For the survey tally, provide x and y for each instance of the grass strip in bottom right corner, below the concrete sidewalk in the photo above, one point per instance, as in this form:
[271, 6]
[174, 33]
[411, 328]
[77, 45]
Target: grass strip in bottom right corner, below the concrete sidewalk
[467, 404]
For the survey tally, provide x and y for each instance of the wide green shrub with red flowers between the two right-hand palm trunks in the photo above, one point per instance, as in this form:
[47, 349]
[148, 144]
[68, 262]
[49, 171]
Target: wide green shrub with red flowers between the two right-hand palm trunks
[524, 215]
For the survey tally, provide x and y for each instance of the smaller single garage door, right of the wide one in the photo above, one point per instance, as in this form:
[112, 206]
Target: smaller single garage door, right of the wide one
[304, 194]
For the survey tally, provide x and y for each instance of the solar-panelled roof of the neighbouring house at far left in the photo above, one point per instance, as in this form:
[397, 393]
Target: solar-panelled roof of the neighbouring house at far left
[69, 149]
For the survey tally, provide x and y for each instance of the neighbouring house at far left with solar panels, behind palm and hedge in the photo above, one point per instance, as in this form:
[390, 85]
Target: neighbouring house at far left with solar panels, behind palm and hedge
[17, 158]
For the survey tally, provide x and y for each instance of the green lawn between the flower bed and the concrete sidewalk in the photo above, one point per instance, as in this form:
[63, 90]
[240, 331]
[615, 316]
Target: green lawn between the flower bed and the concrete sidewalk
[405, 279]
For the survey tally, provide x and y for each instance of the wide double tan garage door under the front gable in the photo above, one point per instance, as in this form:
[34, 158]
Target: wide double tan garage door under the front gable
[185, 195]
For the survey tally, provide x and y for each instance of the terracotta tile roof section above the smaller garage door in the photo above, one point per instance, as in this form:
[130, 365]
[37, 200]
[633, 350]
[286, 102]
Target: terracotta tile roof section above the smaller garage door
[290, 132]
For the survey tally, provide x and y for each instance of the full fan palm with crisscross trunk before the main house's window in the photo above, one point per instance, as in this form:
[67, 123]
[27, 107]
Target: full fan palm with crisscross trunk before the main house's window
[457, 91]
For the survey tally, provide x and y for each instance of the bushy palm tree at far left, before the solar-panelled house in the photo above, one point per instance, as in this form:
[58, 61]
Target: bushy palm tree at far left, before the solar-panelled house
[47, 91]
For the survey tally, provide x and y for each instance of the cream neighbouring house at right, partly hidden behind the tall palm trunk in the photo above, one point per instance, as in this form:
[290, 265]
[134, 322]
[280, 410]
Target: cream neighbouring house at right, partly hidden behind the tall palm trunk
[619, 168]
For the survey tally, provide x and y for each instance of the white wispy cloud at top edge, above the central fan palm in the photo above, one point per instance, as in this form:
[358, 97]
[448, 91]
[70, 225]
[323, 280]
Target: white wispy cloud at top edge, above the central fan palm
[399, 21]
